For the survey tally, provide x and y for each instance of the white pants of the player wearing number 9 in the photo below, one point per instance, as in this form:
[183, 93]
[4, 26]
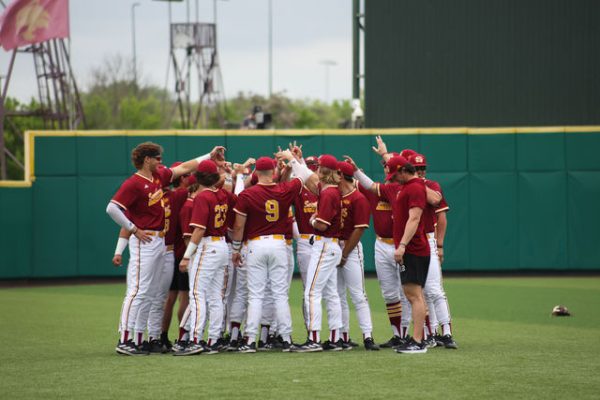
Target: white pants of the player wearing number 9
[267, 261]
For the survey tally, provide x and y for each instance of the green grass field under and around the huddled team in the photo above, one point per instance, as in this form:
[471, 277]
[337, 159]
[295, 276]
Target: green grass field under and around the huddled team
[60, 344]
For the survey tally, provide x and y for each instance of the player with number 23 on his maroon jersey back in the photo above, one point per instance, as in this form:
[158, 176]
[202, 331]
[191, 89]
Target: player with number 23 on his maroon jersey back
[210, 258]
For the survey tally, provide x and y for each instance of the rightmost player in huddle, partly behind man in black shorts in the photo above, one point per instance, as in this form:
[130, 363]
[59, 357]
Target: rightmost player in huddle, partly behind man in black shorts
[434, 292]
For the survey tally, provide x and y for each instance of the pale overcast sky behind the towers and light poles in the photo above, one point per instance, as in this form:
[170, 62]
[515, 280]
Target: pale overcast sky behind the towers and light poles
[305, 32]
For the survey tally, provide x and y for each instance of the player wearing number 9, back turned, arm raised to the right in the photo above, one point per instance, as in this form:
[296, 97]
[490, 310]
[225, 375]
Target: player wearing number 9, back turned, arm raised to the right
[262, 211]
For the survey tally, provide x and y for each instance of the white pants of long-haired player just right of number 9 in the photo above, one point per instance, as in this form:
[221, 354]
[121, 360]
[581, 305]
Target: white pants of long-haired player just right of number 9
[321, 282]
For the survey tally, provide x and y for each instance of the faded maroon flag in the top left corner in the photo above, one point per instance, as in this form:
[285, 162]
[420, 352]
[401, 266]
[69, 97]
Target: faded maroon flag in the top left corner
[33, 21]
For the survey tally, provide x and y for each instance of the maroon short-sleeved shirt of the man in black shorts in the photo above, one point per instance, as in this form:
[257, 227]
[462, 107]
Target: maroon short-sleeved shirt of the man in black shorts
[413, 194]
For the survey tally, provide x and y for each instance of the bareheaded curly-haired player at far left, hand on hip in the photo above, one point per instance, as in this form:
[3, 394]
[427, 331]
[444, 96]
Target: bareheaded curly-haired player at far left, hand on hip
[141, 196]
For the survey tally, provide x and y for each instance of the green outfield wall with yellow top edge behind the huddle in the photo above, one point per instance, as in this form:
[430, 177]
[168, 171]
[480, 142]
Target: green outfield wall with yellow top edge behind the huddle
[520, 199]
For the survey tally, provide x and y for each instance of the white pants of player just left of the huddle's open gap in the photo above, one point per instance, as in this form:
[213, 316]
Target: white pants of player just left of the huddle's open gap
[351, 278]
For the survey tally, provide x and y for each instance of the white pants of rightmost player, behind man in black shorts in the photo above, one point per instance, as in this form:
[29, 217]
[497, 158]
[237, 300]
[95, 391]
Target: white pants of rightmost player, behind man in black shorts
[437, 302]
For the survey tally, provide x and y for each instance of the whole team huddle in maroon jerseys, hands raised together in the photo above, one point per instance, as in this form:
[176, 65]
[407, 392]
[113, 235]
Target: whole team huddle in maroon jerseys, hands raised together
[219, 236]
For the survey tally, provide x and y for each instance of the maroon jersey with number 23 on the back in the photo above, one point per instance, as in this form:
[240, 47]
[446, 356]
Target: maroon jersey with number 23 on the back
[210, 212]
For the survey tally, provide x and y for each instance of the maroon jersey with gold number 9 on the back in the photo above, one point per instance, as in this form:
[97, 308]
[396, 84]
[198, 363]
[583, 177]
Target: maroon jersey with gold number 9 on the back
[266, 207]
